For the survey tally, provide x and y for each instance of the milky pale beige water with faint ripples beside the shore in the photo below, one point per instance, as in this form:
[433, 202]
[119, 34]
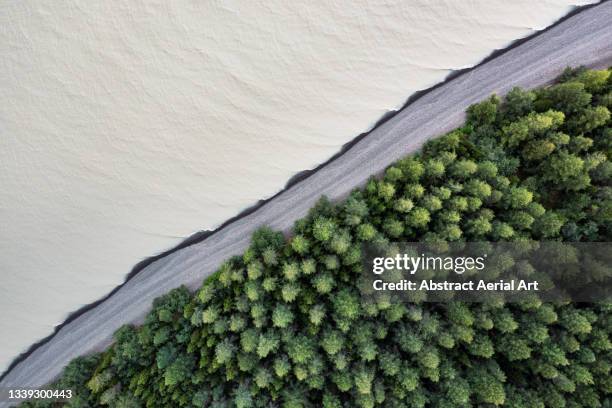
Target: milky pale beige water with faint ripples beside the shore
[125, 126]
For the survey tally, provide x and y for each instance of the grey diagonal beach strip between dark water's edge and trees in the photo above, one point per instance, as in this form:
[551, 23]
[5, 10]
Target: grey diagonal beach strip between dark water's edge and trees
[585, 40]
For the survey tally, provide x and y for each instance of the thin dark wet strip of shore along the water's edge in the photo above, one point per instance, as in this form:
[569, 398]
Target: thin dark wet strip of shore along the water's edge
[293, 182]
